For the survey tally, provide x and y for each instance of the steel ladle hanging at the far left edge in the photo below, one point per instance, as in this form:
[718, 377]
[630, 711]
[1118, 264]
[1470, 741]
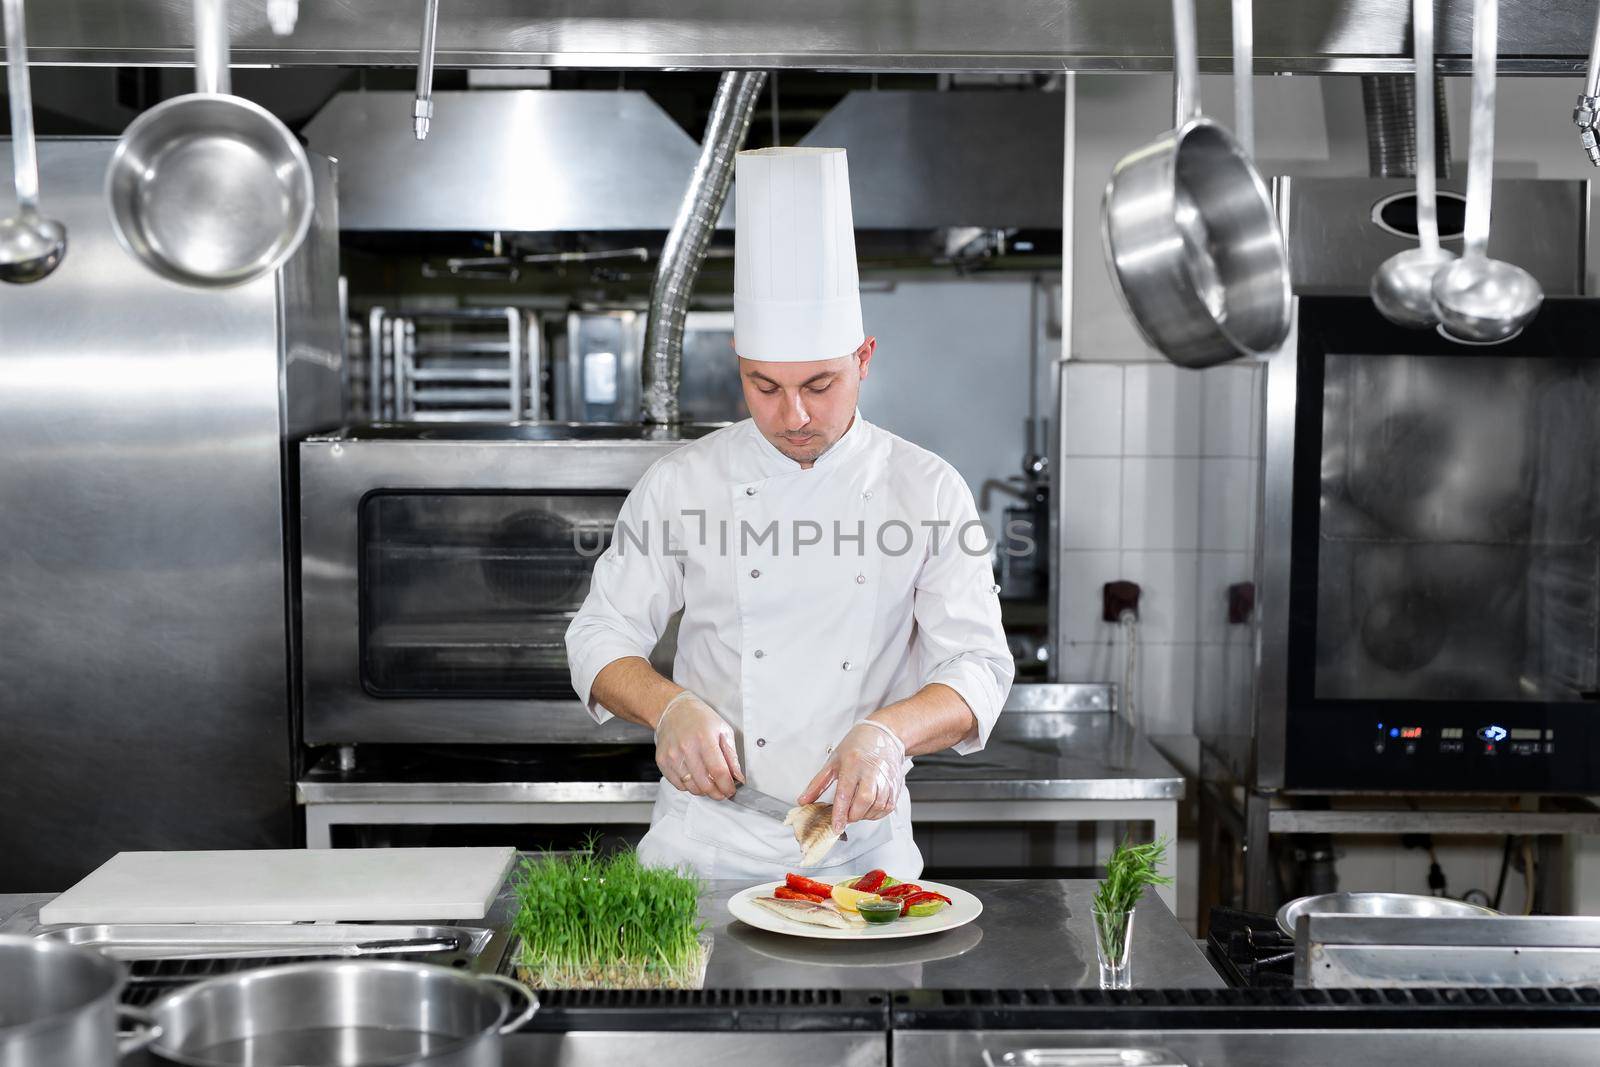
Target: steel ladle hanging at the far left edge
[31, 246]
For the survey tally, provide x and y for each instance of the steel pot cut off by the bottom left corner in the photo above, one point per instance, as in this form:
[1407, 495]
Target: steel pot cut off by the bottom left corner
[58, 1007]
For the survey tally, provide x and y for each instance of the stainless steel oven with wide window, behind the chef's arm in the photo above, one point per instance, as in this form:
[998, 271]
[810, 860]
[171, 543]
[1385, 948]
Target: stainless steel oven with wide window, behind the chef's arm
[439, 570]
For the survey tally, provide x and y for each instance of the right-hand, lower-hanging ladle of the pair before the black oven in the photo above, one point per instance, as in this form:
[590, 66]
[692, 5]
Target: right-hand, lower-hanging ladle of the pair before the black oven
[1481, 300]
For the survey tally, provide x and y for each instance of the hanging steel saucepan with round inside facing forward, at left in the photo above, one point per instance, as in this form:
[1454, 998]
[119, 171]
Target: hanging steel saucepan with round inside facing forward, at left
[210, 190]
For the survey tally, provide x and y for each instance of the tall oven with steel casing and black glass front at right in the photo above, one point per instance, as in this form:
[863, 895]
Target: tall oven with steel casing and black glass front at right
[1431, 526]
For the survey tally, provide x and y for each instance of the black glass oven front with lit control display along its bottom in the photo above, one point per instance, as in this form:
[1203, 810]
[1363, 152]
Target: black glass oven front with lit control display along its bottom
[1444, 626]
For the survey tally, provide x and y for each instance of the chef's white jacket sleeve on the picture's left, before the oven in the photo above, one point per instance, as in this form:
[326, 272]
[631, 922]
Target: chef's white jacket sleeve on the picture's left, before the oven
[636, 589]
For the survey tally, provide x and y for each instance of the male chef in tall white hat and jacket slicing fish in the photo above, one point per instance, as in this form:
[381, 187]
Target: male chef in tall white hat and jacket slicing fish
[839, 605]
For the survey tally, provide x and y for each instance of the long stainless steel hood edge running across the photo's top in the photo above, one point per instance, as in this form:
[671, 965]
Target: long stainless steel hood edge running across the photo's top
[1311, 36]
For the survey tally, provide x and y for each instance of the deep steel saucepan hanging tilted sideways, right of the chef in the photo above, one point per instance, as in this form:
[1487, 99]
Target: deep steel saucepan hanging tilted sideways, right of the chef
[1191, 234]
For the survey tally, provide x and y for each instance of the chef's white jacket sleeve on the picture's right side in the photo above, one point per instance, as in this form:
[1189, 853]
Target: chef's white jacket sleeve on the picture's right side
[959, 637]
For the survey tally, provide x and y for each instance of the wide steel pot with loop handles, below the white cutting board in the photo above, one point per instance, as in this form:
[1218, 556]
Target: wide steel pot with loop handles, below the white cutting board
[342, 1015]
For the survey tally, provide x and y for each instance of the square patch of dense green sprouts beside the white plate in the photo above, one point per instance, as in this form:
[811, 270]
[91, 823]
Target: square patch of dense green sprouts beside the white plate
[607, 924]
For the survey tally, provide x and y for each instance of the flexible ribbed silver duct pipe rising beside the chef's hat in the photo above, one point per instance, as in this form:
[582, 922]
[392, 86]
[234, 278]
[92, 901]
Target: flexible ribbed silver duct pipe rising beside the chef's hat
[687, 241]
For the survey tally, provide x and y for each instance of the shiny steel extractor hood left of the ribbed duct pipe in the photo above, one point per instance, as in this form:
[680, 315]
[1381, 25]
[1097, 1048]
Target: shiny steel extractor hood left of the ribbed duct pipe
[506, 161]
